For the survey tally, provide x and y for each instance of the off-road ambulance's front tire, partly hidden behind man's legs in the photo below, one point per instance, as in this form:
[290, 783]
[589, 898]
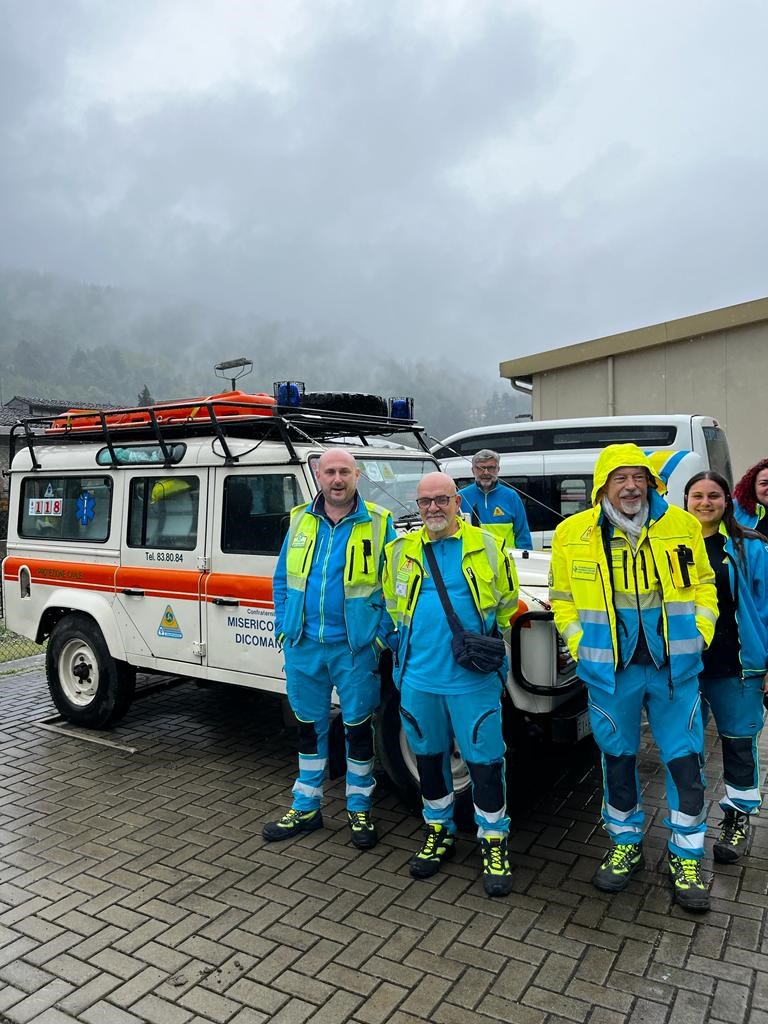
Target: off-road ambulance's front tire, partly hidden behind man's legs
[399, 761]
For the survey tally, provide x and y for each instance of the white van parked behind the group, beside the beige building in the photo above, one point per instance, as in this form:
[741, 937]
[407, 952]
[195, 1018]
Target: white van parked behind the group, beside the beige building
[551, 462]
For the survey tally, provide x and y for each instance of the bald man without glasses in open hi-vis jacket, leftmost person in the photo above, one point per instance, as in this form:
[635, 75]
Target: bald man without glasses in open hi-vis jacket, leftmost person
[328, 611]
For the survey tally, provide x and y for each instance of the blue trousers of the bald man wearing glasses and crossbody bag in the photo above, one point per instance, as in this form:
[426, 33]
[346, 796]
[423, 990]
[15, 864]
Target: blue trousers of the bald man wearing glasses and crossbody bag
[432, 721]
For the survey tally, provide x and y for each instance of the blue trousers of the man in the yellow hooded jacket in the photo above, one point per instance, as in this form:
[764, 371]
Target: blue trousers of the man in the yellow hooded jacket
[675, 719]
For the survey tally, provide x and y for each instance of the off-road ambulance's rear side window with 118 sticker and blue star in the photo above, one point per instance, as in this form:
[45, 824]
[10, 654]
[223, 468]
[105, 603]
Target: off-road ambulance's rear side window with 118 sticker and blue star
[66, 508]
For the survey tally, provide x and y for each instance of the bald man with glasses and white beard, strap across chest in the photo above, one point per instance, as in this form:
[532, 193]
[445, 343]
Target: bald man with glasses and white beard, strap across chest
[440, 699]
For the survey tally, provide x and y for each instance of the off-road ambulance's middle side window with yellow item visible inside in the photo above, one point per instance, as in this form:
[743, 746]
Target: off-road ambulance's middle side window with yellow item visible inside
[163, 513]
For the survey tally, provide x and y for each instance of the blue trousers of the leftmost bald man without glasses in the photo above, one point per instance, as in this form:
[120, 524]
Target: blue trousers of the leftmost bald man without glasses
[313, 670]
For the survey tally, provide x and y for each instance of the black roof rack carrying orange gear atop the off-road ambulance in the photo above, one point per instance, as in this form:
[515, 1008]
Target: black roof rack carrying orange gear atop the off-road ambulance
[166, 423]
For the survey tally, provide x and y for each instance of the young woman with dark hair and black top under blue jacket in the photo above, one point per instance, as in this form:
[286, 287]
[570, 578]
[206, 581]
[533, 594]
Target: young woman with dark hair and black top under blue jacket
[735, 665]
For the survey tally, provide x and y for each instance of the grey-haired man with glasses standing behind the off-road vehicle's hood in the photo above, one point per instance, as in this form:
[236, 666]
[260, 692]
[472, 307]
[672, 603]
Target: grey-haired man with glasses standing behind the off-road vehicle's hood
[494, 505]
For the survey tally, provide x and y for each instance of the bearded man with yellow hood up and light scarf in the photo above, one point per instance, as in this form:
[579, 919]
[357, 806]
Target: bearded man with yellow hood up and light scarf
[634, 599]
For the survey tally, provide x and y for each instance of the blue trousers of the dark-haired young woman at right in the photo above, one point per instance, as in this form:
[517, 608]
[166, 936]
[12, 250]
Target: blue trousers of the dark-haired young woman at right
[738, 708]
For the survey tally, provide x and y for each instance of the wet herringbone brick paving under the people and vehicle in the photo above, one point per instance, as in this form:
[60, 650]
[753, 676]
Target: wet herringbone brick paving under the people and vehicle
[137, 887]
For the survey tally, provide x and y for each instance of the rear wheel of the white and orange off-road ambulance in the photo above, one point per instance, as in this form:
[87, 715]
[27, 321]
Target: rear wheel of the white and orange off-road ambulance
[87, 685]
